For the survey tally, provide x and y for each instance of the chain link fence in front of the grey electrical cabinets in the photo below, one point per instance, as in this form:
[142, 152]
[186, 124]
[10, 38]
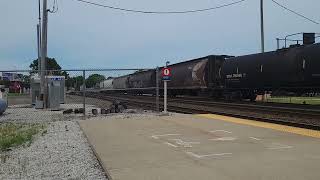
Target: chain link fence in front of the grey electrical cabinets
[81, 92]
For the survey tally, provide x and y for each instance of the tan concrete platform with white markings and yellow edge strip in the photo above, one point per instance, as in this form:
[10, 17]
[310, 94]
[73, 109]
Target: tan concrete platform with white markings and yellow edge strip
[207, 147]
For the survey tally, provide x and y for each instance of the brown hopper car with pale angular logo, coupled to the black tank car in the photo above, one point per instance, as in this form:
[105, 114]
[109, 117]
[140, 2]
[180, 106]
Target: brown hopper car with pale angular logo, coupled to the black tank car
[195, 77]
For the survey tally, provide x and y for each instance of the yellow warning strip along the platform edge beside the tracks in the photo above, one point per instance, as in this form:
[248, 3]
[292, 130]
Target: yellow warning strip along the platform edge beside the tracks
[278, 127]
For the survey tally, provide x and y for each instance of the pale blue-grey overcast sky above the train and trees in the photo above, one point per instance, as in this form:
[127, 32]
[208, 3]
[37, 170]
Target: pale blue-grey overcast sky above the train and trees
[84, 36]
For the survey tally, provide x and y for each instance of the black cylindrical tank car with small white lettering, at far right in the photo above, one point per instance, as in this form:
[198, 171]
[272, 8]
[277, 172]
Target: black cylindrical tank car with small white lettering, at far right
[294, 69]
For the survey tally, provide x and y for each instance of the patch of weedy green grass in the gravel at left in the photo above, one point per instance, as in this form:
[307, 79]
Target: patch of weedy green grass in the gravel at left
[13, 135]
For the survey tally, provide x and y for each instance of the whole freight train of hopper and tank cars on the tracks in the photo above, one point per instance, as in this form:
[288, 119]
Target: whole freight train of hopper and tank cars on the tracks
[295, 69]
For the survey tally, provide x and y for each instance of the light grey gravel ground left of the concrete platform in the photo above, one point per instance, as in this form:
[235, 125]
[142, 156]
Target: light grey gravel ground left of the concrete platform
[60, 152]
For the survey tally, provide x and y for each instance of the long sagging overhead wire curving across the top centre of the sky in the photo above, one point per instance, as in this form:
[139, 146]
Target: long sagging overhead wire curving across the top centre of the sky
[160, 12]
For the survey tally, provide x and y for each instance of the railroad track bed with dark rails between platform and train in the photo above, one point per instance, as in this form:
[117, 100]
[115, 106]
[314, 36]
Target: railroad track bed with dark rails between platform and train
[298, 117]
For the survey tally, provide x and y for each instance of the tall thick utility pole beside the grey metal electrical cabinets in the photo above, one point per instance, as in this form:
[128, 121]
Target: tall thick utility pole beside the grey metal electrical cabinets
[43, 88]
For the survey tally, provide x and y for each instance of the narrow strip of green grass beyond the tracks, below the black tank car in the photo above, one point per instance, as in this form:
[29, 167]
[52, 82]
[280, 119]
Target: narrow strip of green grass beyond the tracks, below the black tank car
[296, 100]
